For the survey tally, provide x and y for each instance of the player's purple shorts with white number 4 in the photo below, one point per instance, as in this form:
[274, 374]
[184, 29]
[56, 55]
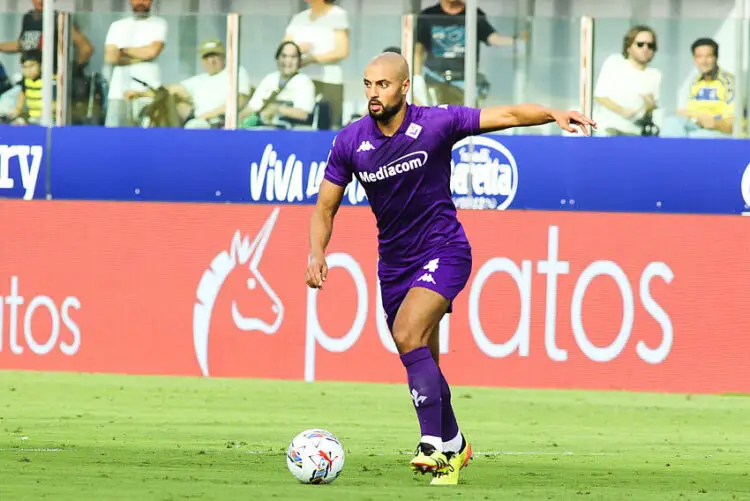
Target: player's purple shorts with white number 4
[445, 271]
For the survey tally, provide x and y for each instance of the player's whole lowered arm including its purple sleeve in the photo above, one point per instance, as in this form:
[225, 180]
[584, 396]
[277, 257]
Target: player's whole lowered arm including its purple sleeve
[338, 175]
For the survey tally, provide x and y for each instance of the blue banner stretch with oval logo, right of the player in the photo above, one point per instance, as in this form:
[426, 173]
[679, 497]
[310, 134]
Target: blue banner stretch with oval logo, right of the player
[620, 174]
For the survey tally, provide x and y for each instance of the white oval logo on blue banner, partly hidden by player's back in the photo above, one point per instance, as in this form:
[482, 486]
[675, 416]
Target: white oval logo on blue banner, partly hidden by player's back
[485, 178]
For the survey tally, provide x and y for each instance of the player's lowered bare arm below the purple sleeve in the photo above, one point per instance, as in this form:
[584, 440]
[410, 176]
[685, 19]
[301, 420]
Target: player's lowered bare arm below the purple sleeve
[321, 228]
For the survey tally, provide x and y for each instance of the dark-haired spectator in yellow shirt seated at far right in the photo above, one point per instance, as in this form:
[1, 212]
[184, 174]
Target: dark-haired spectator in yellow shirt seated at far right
[710, 104]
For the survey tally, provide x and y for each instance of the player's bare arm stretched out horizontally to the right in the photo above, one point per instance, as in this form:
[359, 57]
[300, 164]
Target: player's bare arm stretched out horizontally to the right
[526, 115]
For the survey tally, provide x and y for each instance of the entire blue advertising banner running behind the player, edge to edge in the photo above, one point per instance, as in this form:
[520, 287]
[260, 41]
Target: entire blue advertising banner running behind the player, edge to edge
[624, 174]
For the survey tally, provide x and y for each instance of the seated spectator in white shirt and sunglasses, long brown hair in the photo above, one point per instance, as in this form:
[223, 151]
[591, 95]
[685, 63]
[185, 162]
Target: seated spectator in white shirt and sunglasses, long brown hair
[627, 90]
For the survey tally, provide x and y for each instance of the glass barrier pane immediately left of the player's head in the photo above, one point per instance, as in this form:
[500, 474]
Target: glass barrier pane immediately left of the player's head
[323, 96]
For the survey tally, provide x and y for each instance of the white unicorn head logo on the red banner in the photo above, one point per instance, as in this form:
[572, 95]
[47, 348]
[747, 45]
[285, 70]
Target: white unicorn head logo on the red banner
[241, 253]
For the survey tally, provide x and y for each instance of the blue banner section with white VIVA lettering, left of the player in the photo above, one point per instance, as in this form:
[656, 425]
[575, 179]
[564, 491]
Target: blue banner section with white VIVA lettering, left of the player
[189, 165]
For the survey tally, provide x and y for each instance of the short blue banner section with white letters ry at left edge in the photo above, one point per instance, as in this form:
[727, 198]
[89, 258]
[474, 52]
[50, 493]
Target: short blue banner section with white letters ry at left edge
[23, 162]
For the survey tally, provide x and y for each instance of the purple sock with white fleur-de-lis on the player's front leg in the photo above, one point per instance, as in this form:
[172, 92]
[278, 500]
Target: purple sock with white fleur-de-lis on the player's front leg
[425, 389]
